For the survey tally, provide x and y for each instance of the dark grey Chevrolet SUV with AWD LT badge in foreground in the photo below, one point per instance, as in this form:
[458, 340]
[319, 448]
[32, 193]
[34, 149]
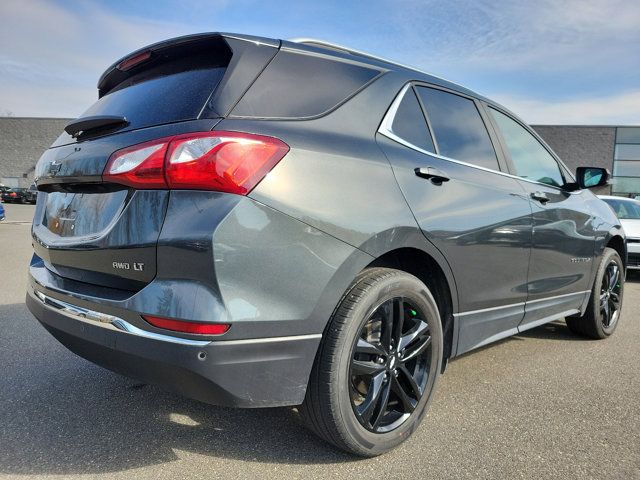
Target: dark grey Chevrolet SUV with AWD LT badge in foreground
[258, 223]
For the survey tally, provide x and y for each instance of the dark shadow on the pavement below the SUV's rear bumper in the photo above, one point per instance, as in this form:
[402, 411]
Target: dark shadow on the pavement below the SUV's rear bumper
[63, 415]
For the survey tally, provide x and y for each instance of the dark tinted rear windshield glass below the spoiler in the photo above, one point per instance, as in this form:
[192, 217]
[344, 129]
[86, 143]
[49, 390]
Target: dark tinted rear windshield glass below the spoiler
[172, 97]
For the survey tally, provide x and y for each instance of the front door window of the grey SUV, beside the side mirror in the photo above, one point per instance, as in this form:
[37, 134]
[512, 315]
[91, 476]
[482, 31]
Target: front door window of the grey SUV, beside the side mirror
[530, 159]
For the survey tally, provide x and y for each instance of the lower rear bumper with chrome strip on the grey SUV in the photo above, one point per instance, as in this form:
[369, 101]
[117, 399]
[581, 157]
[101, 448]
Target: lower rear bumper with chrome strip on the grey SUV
[259, 372]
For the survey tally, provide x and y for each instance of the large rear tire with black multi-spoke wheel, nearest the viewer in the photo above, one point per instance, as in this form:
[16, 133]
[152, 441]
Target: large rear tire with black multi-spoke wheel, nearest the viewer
[337, 387]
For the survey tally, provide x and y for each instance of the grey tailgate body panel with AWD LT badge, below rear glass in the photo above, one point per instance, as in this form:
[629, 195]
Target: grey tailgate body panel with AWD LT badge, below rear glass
[95, 232]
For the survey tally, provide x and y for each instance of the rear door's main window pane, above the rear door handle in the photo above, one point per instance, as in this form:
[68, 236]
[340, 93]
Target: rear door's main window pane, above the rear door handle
[458, 128]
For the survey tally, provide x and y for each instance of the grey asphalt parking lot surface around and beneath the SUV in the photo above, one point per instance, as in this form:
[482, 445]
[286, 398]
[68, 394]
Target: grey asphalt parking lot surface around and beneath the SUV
[545, 404]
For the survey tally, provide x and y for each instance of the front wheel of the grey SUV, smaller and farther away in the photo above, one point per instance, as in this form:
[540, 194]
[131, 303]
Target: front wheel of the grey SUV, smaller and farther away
[596, 323]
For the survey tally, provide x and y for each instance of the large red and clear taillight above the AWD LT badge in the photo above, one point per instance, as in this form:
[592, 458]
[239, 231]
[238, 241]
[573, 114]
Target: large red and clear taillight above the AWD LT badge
[223, 161]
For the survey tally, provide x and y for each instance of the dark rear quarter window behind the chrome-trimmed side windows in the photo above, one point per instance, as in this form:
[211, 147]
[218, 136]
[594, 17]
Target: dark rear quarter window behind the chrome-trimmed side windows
[296, 85]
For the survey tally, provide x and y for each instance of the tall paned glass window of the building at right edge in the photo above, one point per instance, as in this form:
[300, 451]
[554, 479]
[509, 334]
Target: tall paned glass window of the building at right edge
[626, 162]
